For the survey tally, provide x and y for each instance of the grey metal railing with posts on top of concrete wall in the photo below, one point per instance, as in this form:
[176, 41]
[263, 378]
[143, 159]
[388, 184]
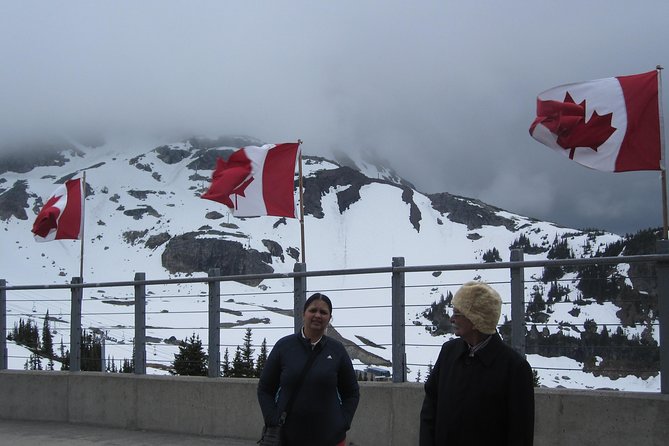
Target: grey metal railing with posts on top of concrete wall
[398, 272]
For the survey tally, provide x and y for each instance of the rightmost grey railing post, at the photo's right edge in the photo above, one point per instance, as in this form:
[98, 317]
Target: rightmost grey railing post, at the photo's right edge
[662, 269]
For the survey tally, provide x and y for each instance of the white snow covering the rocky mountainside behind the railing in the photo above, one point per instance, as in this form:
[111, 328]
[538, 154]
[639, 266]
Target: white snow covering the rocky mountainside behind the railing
[369, 233]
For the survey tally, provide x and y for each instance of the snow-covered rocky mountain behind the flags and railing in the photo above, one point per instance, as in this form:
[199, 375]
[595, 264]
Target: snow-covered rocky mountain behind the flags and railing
[144, 214]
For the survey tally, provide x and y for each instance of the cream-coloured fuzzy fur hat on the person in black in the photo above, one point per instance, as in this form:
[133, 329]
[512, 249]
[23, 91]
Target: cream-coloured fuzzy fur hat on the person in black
[479, 303]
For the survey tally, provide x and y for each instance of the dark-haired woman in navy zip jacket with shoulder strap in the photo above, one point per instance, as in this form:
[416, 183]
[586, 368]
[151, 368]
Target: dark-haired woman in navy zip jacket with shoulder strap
[322, 405]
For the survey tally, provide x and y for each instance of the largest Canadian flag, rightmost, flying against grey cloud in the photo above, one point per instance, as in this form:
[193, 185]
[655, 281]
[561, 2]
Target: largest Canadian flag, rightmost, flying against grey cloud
[610, 124]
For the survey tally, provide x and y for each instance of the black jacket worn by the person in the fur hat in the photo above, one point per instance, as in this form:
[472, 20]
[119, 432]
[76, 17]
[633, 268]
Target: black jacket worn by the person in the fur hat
[487, 399]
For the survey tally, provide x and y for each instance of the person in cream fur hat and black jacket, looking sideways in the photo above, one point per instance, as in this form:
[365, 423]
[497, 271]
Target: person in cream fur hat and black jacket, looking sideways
[480, 391]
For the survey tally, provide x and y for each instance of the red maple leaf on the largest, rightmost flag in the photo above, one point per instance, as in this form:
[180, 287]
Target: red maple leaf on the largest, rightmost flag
[567, 120]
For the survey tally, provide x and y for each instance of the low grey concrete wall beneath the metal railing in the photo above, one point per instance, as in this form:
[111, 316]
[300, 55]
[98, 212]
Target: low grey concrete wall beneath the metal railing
[387, 415]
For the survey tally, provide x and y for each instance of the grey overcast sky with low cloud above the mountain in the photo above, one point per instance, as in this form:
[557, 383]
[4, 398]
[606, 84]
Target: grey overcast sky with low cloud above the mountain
[445, 90]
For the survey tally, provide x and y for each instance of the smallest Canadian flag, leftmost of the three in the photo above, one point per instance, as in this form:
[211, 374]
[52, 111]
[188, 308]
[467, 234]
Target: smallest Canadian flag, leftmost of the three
[62, 215]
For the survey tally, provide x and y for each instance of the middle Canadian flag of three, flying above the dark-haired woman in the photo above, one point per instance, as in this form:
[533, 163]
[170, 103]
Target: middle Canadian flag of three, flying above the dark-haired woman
[257, 181]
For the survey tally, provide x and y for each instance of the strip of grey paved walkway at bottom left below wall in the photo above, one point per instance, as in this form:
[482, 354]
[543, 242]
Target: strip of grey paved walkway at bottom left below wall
[32, 433]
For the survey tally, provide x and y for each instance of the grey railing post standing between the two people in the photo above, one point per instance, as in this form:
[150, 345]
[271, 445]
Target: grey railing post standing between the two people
[398, 323]
